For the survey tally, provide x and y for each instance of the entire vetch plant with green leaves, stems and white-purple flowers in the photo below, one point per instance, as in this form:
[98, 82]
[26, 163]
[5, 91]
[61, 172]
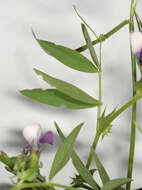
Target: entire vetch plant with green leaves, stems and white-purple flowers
[26, 166]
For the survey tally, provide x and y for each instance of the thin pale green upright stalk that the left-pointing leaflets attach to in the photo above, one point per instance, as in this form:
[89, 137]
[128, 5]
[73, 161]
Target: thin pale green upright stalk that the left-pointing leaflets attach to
[97, 136]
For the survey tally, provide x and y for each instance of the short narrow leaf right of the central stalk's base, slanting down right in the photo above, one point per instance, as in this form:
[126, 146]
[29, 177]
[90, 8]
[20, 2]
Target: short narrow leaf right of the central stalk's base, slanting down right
[102, 172]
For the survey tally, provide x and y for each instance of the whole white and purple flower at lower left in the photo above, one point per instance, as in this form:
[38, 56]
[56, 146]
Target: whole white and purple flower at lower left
[33, 134]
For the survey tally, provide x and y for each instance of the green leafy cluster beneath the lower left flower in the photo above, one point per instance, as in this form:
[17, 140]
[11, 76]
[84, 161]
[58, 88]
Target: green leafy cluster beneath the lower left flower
[24, 167]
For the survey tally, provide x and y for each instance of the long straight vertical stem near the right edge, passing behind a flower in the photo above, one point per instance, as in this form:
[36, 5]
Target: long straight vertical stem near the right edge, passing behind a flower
[132, 137]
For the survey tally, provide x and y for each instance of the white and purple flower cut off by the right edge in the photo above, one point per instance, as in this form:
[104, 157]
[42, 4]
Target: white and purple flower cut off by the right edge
[136, 44]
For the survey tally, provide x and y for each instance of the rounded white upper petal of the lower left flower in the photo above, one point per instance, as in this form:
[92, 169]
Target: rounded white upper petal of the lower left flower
[32, 133]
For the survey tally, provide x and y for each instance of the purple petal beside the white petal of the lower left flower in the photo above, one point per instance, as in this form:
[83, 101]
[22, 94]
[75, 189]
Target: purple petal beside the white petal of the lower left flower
[48, 137]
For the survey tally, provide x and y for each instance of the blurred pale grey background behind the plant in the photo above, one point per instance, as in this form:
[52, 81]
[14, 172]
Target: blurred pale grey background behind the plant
[56, 21]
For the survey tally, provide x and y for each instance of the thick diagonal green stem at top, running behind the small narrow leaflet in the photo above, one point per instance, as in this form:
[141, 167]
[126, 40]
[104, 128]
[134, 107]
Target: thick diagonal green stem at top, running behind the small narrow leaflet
[105, 36]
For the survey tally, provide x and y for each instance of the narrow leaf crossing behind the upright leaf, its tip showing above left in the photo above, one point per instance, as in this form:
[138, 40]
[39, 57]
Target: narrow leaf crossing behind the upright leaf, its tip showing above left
[82, 170]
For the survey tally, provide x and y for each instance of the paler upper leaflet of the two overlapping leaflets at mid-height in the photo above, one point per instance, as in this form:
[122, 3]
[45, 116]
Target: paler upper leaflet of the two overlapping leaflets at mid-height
[69, 89]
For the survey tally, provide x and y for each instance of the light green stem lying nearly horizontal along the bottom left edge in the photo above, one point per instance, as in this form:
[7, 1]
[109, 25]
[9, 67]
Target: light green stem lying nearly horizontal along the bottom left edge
[42, 184]
